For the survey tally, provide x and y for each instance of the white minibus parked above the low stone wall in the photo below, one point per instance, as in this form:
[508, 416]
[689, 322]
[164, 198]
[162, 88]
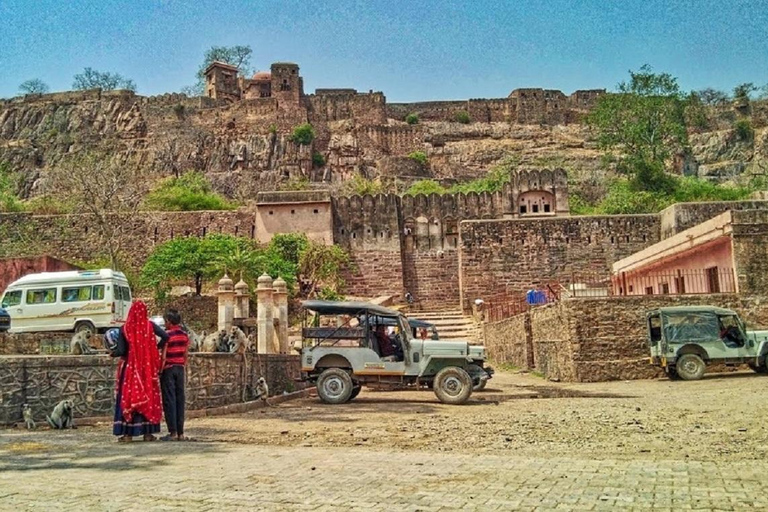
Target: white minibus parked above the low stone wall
[68, 301]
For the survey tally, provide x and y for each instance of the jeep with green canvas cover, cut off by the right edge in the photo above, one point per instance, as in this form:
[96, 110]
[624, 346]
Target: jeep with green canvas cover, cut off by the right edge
[683, 340]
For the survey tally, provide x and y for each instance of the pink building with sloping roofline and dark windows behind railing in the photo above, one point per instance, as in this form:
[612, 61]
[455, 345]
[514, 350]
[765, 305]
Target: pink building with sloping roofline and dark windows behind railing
[697, 260]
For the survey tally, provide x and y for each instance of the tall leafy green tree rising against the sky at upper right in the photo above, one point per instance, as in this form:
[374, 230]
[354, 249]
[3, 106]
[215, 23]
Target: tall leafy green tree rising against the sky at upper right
[646, 120]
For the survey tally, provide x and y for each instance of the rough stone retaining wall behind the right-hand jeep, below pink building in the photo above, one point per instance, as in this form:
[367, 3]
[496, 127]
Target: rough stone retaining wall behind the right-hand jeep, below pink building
[597, 339]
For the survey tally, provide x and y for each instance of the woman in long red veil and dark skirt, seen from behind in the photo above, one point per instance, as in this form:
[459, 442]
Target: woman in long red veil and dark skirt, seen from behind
[138, 407]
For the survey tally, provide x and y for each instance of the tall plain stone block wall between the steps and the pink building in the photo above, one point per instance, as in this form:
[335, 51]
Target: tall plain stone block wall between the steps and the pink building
[502, 258]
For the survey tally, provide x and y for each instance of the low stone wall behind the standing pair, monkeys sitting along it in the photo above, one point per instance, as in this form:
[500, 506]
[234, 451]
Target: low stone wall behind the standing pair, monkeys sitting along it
[213, 380]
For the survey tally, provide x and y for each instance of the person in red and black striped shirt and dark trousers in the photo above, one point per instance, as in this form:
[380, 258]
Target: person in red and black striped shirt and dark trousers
[172, 378]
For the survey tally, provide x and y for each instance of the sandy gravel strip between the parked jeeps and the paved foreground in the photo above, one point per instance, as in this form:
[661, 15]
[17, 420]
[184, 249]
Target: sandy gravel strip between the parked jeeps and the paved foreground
[718, 418]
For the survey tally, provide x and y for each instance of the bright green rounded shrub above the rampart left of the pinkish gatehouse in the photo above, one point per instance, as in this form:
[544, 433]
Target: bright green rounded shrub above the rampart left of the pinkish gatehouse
[189, 192]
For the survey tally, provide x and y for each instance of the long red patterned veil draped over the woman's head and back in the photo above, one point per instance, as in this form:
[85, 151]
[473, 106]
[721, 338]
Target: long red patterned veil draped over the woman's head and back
[141, 386]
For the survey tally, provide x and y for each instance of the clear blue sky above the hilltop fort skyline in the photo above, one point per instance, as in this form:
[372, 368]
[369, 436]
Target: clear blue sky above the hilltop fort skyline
[411, 50]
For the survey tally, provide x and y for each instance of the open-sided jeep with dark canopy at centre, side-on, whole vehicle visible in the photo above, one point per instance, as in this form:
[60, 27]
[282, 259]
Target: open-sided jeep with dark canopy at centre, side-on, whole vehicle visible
[347, 345]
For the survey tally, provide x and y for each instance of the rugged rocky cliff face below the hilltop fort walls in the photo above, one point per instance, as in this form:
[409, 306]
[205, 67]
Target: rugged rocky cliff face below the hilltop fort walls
[245, 146]
